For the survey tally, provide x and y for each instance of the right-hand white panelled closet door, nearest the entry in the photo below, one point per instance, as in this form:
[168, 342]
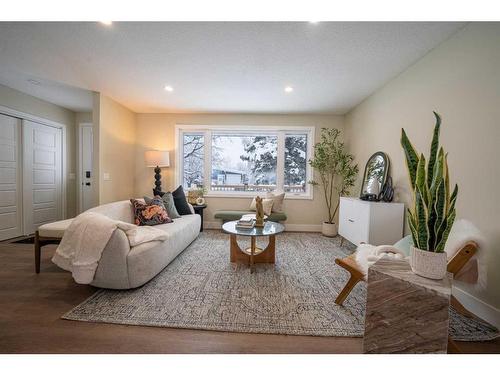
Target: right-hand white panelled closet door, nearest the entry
[42, 177]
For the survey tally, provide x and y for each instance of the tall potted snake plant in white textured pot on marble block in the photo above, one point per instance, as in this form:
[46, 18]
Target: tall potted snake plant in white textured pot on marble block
[433, 211]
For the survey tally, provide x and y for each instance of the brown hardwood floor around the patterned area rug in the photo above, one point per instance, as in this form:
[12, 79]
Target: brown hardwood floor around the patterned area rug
[31, 306]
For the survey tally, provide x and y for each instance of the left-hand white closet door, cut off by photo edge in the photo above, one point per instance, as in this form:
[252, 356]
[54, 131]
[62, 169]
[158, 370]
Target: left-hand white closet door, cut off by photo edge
[10, 178]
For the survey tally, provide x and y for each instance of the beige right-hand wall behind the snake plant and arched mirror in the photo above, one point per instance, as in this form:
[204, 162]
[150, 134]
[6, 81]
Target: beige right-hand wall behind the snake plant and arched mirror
[459, 79]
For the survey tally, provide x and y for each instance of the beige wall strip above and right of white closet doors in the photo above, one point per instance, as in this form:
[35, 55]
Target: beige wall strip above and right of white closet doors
[29, 104]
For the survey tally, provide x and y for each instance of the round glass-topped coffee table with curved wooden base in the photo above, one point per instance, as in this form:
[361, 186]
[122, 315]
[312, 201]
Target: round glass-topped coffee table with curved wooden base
[253, 254]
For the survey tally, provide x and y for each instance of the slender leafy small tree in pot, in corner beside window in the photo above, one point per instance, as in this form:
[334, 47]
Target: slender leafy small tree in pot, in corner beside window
[336, 172]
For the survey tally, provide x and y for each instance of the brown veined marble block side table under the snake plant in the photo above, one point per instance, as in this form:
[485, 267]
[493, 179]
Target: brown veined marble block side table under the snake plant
[405, 313]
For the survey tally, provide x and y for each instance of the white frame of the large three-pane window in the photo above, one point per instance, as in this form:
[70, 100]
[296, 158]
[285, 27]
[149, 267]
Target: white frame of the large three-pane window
[280, 131]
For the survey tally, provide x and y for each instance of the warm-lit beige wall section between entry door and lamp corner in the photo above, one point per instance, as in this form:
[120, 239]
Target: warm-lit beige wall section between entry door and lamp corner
[116, 139]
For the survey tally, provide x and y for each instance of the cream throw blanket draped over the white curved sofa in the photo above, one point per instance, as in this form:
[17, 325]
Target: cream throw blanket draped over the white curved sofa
[86, 237]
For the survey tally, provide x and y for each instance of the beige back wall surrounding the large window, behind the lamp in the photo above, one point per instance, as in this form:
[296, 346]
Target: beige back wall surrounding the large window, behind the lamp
[156, 131]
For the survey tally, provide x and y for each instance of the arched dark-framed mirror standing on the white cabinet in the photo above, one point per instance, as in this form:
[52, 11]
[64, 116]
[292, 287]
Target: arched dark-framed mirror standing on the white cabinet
[376, 172]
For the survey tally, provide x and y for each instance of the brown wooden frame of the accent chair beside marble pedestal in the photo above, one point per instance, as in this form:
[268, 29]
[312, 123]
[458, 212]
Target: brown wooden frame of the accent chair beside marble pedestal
[455, 264]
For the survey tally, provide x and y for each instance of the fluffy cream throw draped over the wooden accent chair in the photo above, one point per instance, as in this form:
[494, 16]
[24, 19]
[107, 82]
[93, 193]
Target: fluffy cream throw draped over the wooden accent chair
[463, 231]
